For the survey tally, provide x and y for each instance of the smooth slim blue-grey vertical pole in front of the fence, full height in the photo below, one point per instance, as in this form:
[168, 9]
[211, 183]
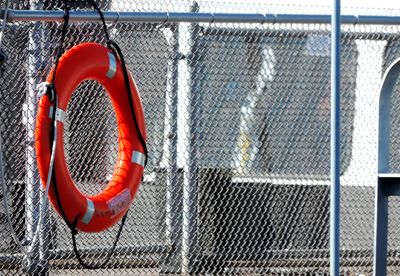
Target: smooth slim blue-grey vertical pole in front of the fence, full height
[335, 142]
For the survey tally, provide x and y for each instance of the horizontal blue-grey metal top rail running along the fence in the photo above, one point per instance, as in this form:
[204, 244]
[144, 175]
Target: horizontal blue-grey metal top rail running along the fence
[193, 17]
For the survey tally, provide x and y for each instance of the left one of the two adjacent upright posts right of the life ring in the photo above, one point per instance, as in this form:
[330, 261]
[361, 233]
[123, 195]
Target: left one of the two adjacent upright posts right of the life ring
[173, 211]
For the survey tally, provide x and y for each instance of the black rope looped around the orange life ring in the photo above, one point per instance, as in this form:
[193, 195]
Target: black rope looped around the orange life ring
[72, 226]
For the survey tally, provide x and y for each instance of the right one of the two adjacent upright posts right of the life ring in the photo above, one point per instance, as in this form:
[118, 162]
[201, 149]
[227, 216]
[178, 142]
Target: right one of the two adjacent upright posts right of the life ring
[189, 220]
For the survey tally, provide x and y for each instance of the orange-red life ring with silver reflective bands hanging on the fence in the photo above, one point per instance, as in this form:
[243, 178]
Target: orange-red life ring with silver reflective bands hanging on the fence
[92, 61]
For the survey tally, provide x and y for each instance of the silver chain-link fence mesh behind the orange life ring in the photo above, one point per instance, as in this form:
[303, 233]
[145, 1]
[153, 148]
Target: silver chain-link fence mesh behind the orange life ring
[238, 123]
